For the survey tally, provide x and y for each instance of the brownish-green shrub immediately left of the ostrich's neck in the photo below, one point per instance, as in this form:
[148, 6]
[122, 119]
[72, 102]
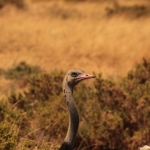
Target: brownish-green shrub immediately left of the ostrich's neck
[39, 103]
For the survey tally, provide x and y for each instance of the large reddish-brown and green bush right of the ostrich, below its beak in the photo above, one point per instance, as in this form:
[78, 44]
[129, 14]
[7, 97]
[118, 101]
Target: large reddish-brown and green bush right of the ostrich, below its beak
[124, 109]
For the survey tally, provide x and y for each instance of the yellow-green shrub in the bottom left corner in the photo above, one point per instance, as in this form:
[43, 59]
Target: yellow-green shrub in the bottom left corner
[8, 127]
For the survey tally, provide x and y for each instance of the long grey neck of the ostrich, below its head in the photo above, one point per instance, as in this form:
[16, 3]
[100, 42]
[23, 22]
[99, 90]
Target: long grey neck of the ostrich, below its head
[73, 114]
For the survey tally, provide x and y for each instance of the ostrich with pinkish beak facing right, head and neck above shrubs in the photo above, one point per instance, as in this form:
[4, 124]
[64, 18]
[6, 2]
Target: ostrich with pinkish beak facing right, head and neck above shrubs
[72, 78]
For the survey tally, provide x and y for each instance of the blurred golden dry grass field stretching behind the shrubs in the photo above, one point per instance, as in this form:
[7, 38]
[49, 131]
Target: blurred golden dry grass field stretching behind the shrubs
[59, 35]
